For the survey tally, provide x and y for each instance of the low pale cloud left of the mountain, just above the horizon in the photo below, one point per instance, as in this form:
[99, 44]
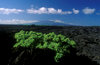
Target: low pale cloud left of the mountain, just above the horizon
[16, 21]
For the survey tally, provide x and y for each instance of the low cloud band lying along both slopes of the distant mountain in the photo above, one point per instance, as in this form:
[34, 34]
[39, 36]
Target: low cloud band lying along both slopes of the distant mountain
[18, 21]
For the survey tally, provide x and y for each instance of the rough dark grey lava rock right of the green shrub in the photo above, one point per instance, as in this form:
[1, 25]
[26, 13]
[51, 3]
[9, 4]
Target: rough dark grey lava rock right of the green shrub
[88, 41]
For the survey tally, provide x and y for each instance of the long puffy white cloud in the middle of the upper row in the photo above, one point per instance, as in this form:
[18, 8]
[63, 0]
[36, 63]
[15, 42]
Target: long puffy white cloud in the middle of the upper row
[44, 10]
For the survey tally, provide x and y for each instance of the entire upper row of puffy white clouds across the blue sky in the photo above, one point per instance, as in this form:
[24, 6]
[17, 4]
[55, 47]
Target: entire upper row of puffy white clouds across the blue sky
[44, 10]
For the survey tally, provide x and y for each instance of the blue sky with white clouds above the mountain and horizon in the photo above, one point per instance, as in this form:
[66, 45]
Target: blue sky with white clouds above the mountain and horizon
[76, 12]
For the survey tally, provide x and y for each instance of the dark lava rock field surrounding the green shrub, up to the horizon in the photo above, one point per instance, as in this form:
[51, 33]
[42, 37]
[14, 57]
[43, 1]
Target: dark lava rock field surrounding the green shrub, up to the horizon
[87, 50]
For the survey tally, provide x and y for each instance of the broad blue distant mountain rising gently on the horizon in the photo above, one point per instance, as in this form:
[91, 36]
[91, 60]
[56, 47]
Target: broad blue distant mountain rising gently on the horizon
[46, 23]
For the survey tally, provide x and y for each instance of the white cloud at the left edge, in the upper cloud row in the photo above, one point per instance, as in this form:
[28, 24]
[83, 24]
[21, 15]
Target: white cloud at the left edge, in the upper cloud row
[9, 11]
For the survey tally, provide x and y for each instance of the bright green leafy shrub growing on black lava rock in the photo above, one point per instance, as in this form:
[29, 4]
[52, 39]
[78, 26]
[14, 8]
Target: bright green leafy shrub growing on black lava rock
[58, 43]
